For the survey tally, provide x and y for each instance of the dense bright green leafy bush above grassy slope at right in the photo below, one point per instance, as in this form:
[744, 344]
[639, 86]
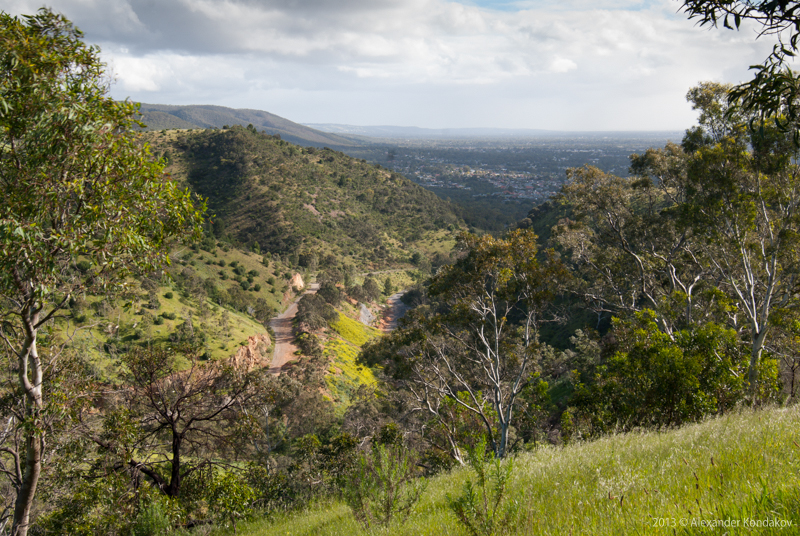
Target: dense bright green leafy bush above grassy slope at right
[650, 379]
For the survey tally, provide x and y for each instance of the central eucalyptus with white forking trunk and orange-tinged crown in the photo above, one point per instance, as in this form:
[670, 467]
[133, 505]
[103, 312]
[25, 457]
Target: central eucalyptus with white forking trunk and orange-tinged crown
[482, 348]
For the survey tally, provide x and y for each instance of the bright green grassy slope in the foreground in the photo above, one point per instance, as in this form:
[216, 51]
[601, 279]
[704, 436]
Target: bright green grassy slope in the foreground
[621, 484]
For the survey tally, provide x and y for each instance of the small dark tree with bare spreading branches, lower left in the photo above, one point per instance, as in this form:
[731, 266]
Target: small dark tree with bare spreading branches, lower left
[196, 406]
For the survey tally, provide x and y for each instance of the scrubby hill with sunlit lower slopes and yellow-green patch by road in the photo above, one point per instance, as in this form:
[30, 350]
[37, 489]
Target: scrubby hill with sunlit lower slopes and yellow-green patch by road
[276, 209]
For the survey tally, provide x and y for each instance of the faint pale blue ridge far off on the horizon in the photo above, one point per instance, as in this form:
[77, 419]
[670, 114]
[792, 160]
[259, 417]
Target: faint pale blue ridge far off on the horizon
[386, 131]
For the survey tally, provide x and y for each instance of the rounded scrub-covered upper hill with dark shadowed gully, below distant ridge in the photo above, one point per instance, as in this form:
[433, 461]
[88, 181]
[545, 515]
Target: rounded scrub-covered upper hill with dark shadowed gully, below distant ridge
[268, 195]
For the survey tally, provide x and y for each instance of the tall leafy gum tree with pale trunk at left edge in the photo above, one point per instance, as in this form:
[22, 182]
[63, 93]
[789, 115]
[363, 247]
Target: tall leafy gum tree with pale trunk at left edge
[75, 186]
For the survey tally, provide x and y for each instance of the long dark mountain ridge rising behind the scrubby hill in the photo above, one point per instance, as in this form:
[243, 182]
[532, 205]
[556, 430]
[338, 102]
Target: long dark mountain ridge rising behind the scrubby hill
[167, 116]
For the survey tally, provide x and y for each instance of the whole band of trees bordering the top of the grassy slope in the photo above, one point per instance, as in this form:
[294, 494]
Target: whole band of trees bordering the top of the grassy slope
[651, 300]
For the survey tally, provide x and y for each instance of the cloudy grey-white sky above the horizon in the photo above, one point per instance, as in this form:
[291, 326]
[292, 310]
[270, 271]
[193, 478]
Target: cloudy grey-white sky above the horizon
[580, 65]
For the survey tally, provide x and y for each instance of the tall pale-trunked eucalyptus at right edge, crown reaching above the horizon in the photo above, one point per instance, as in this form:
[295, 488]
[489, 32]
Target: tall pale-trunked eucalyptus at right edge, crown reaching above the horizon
[706, 232]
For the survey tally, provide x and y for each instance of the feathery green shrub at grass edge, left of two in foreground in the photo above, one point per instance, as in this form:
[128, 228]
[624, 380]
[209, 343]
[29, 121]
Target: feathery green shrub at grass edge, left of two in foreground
[383, 487]
